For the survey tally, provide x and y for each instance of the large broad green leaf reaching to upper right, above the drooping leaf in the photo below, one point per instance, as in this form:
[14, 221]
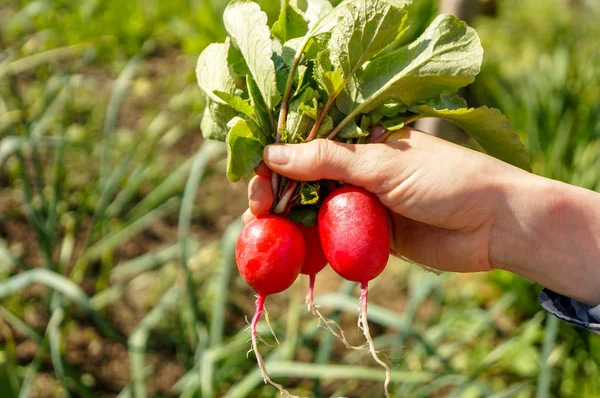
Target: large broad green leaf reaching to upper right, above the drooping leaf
[445, 58]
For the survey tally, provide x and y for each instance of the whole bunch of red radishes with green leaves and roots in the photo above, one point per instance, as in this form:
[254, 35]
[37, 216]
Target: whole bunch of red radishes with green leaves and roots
[333, 73]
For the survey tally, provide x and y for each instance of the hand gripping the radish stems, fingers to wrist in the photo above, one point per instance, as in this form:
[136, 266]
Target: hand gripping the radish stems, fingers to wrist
[443, 199]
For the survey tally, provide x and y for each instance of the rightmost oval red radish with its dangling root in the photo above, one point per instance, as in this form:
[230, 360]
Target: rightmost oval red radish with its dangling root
[355, 236]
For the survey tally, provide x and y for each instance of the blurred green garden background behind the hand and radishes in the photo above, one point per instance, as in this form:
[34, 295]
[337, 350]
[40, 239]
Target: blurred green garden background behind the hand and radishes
[117, 224]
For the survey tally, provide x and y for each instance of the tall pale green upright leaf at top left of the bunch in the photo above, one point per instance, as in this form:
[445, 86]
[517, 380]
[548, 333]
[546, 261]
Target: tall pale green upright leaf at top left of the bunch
[247, 26]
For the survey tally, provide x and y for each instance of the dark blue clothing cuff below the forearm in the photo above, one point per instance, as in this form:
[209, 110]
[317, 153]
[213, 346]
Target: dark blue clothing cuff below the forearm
[570, 310]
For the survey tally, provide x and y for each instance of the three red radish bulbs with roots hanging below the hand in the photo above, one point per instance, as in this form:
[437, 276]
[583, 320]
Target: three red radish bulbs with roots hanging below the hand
[351, 234]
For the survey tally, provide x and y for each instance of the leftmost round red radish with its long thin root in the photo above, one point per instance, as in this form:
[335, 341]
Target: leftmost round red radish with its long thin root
[270, 252]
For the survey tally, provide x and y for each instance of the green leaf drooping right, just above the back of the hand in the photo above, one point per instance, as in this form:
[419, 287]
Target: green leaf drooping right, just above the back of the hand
[489, 127]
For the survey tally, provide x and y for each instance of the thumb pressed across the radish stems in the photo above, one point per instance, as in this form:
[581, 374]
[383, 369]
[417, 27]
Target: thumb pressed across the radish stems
[324, 159]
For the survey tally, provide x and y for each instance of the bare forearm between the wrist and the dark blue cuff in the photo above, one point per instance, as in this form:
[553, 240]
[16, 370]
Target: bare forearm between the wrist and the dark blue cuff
[549, 232]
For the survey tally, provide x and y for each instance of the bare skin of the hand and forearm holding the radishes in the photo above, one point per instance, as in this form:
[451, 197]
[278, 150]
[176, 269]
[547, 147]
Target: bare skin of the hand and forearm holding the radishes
[458, 210]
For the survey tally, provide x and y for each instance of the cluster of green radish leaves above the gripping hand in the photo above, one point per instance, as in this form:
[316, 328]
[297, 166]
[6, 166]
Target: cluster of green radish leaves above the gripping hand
[340, 71]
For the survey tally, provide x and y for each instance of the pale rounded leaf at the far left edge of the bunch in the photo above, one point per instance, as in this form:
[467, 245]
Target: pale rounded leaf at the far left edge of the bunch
[212, 71]
